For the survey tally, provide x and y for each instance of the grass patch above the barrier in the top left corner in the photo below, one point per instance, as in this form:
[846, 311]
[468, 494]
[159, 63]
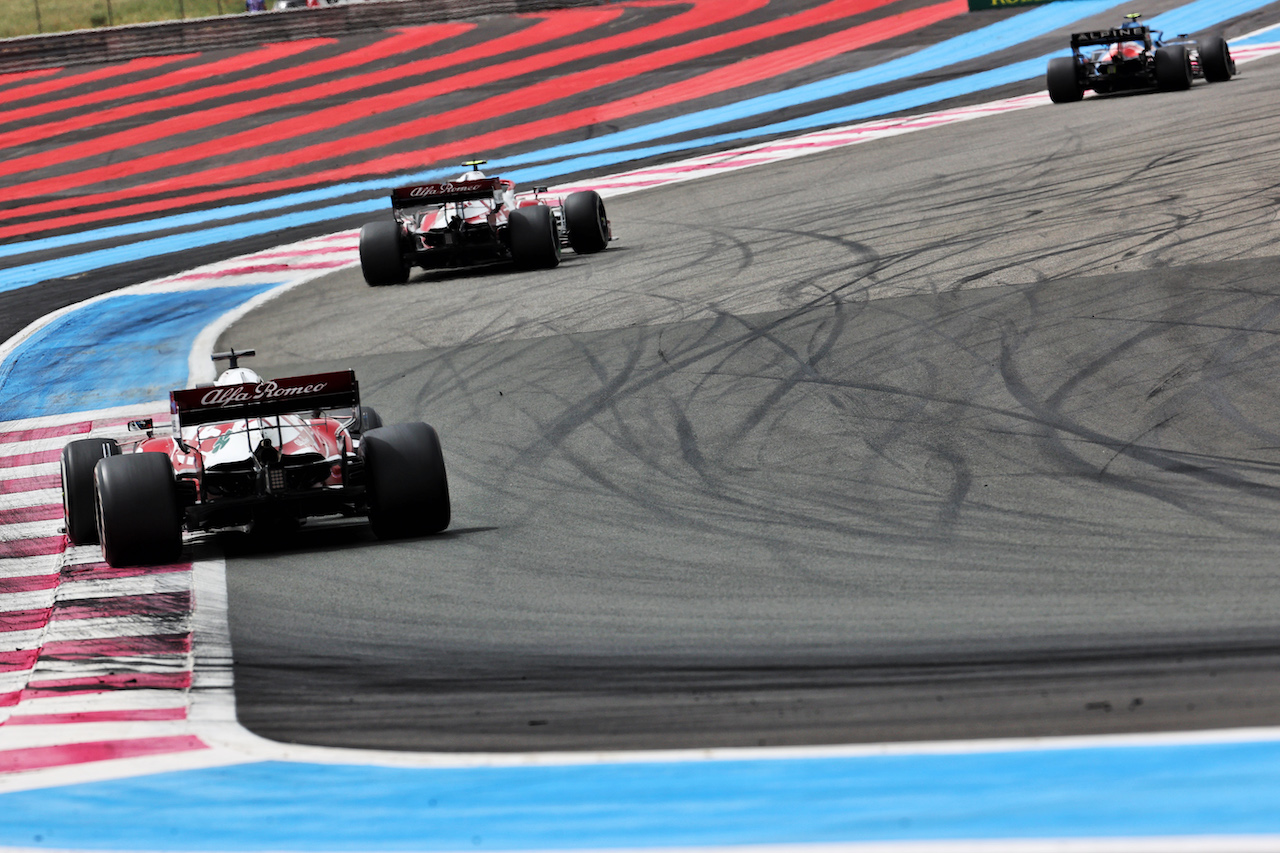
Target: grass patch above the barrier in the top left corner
[31, 17]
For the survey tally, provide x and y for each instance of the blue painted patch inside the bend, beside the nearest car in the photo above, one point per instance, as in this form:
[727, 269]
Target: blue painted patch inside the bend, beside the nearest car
[124, 350]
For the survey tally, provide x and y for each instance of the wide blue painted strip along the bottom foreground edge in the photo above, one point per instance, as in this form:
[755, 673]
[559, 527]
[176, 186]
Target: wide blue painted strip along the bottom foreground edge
[1126, 792]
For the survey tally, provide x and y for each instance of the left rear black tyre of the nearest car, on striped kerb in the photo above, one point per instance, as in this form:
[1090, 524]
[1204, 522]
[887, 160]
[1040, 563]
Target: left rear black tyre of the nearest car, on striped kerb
[139, 518]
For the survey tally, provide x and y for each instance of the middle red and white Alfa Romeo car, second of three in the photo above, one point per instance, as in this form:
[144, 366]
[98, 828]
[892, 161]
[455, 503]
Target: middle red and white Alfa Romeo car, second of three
[478, 220]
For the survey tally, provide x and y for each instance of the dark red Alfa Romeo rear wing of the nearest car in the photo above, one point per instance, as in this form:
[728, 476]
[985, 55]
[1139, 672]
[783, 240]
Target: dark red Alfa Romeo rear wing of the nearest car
[194, 407]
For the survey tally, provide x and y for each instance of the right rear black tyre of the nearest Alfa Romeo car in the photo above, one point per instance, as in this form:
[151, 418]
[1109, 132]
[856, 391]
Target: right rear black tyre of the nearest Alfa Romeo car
[408, 489]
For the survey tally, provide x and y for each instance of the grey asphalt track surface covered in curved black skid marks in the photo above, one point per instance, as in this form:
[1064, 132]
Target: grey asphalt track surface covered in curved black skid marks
[967, 434]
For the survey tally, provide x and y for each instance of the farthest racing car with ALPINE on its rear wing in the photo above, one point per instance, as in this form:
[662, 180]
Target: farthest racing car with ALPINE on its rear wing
[1135, 58]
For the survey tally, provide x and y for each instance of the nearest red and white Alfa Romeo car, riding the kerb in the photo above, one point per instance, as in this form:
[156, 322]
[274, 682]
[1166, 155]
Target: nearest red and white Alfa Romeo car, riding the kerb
[246, 451]
